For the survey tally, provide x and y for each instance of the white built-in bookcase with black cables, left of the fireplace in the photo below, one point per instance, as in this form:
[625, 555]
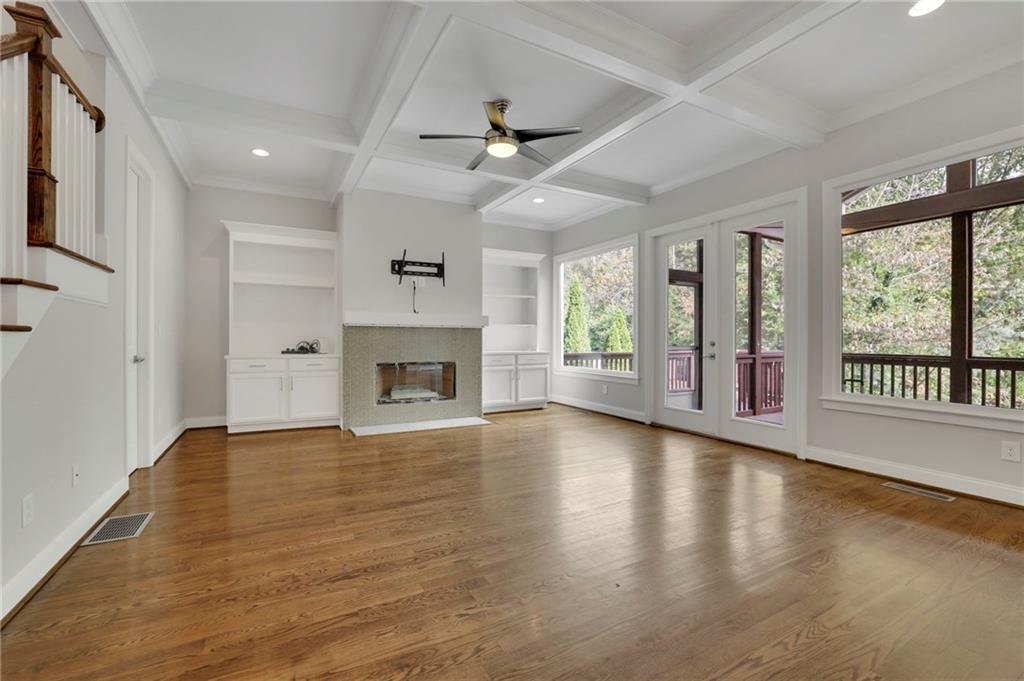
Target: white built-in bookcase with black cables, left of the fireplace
[283, 289]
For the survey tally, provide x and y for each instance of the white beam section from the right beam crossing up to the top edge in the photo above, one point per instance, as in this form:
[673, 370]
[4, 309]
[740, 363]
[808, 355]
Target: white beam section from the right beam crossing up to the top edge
[763, 41]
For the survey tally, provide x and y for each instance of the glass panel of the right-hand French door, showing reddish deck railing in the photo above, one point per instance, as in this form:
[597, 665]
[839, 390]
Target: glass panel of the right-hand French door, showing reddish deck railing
[760, 320]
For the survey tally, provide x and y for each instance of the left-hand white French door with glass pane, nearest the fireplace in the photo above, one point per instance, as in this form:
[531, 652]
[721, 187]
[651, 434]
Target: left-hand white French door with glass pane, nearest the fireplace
[687, 332]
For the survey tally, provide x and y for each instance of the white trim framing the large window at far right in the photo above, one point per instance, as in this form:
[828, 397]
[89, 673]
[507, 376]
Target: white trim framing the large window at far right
[833, 398]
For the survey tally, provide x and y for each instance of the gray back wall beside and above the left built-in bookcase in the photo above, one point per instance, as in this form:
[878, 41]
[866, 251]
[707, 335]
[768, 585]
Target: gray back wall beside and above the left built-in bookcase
[206, 310]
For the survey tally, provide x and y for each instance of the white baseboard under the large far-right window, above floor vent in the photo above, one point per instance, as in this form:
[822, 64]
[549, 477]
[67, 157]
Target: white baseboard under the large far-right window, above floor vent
[936, 479]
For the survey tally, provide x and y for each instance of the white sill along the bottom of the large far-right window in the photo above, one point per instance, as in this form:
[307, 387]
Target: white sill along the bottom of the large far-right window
[988, 418]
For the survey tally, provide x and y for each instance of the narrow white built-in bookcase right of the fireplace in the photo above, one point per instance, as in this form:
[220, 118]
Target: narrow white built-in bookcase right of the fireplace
[516, 374]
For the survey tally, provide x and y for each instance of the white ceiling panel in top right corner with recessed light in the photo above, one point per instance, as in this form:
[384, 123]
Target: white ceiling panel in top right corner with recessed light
[876, 48]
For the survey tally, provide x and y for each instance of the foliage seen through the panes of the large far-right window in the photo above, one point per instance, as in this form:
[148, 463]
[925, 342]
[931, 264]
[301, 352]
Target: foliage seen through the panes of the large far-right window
[897, 282]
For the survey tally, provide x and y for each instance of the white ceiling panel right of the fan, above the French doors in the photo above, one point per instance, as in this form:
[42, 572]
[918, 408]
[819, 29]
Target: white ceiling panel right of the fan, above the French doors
[684, 144]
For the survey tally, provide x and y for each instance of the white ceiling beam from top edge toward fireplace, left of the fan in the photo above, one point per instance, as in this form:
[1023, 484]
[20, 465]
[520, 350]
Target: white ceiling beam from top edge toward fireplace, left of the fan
[422, 35]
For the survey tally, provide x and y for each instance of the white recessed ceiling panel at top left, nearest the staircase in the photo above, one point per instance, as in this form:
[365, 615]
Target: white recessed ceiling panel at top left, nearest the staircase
[310, 56]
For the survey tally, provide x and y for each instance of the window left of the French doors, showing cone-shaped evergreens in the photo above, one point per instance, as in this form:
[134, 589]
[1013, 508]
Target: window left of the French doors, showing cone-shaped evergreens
[599, 312]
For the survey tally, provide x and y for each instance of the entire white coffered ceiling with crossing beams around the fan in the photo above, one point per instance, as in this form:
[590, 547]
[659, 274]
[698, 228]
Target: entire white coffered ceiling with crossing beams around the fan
[666, 93]
